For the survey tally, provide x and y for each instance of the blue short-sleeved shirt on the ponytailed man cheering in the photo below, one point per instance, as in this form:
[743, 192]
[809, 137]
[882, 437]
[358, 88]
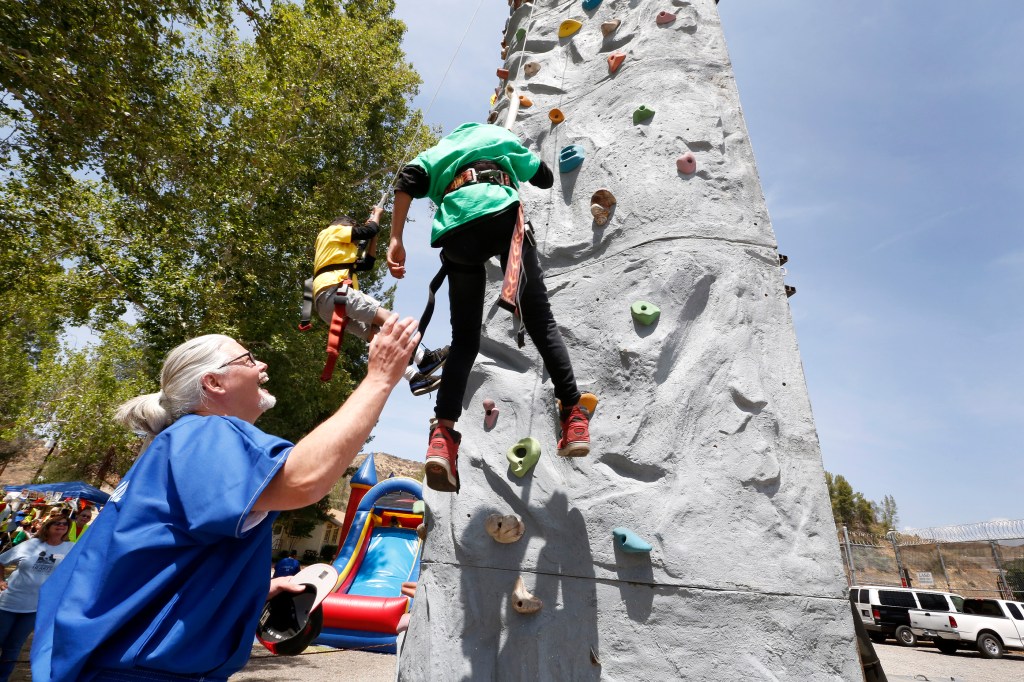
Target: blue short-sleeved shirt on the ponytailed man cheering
[175, 573]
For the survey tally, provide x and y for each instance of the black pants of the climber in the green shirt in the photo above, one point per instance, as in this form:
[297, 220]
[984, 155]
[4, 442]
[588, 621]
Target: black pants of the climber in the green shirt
[470, 249]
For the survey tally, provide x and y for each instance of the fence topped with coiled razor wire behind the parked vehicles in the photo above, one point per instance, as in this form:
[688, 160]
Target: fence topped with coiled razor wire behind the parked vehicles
[975, 561]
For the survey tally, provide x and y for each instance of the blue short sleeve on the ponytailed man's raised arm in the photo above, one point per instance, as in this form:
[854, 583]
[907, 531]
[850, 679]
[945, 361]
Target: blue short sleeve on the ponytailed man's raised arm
[219, 471]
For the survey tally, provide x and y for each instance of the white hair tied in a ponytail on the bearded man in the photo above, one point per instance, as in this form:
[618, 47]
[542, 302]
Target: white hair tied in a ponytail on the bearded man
[181, 387]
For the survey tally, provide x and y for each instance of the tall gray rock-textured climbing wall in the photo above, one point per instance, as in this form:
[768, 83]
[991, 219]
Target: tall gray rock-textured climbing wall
[704, 443]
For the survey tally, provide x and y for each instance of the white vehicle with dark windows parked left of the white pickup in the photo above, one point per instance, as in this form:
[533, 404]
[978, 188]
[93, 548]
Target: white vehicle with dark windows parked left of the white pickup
[886, 612]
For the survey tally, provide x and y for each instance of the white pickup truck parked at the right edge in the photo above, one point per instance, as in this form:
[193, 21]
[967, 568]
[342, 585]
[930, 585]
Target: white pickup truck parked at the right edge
[992, 626]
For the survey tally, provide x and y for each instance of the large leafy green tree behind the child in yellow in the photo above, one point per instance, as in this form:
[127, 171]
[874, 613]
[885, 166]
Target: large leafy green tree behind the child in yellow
[169, 164]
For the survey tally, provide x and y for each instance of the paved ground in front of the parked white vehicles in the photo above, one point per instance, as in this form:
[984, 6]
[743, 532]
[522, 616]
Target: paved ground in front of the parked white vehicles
[905, 663]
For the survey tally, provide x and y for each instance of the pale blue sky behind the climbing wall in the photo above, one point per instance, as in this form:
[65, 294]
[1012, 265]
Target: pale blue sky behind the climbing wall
[890, 144]
